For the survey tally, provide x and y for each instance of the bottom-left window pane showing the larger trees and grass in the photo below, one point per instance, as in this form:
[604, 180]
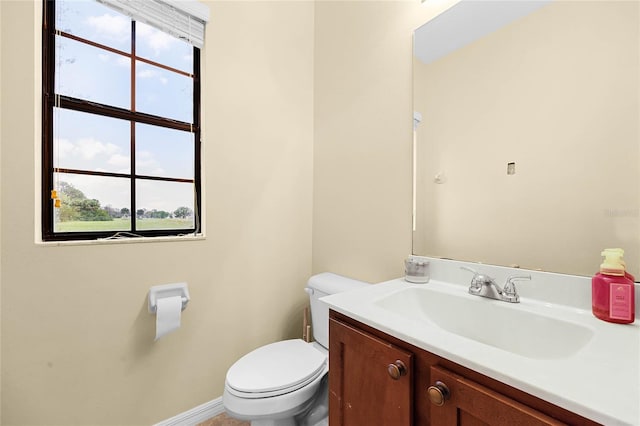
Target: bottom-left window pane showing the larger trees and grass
[92, 203]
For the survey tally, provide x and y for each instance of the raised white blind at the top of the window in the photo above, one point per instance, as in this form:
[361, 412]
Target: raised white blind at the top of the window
[184, 19]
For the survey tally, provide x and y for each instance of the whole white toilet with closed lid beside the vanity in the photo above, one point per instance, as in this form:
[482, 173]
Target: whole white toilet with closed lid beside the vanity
[286, 383]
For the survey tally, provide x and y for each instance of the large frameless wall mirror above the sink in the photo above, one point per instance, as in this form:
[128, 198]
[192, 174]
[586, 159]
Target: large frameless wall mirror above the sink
[526, 134]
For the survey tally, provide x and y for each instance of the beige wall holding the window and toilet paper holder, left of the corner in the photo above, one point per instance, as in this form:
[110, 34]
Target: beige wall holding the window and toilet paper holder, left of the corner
[77, 341]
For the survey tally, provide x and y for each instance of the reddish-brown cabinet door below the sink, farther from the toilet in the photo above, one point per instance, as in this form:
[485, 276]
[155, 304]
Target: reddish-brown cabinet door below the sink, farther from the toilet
[471, 404]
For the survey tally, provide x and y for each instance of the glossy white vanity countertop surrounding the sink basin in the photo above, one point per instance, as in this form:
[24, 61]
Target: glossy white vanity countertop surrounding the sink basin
[601, 381]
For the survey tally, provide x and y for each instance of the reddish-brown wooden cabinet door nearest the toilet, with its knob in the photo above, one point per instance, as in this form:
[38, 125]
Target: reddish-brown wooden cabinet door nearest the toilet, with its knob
[370, 380]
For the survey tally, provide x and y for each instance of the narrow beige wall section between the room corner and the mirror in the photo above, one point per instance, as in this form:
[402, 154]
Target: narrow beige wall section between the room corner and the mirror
[362, 135]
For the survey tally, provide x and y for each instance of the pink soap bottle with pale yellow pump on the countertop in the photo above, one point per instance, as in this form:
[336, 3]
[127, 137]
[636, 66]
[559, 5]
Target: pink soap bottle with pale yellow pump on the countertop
[613, 290]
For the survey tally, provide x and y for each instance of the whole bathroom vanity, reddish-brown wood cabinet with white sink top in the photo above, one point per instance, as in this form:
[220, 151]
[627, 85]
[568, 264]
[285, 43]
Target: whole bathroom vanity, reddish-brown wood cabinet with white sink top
[432, 354]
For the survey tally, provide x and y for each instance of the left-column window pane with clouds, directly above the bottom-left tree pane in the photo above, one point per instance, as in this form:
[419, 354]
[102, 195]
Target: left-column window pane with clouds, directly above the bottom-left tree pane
[91, 142]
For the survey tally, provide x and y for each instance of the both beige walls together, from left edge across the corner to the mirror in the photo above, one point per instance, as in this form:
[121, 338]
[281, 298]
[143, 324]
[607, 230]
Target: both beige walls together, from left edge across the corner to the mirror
[307, 115]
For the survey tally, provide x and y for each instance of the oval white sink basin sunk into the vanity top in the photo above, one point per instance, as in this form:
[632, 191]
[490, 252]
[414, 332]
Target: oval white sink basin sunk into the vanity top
[510, 327]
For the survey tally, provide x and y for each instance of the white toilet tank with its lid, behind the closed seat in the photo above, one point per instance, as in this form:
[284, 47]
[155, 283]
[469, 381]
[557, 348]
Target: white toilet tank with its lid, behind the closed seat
[323, 285]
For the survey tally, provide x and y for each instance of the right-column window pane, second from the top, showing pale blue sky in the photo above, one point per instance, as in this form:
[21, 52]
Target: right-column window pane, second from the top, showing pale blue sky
[164, 93]
